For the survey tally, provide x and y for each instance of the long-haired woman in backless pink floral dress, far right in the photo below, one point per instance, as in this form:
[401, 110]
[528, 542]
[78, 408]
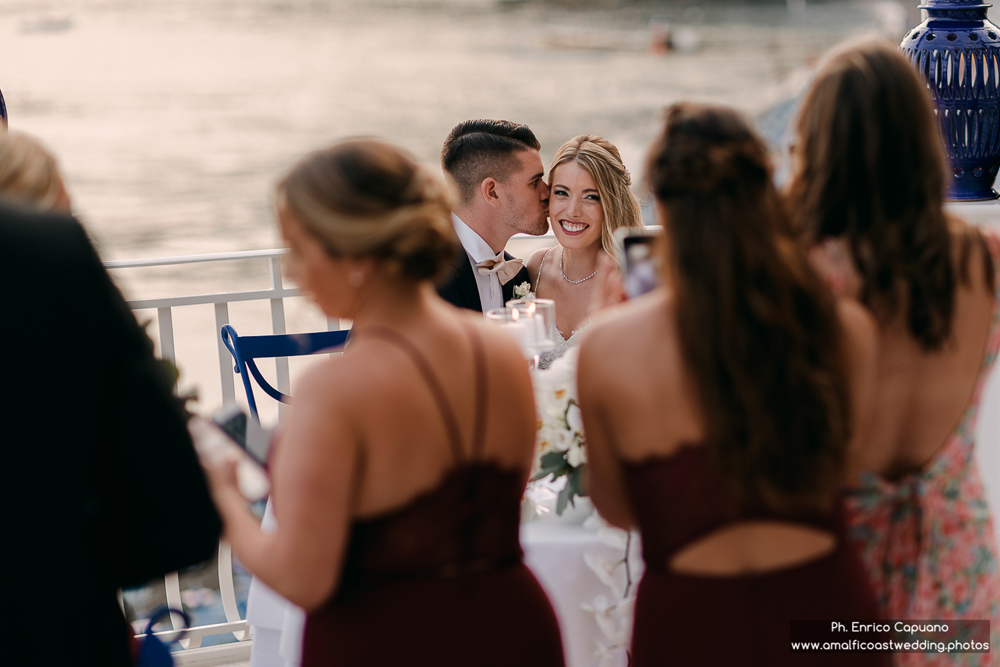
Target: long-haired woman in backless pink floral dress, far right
[868, 192]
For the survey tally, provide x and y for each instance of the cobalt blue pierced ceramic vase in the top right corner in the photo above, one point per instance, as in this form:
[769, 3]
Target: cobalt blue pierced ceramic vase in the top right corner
[957, 50]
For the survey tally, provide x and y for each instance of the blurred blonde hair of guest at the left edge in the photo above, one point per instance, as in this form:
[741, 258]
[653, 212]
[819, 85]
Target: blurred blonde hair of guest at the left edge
[29, 174]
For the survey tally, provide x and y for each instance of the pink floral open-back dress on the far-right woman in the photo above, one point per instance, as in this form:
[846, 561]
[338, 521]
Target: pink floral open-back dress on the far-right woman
[927, 538]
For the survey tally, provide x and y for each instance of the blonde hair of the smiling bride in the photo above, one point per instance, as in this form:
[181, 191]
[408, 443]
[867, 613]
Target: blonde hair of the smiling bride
[601, 159]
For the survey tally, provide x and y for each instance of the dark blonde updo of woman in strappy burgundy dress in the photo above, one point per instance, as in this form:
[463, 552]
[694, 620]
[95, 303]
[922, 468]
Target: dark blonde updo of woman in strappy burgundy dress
[367, 198]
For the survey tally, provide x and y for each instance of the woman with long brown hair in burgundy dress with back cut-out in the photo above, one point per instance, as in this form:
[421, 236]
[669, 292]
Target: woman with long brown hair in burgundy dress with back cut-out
[720, 418]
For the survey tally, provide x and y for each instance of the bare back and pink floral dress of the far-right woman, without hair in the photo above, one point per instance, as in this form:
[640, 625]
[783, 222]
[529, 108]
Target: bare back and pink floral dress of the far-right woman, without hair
[924, 529]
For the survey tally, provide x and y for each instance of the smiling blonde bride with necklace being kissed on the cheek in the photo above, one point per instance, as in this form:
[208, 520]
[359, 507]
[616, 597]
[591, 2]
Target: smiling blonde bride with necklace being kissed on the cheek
[589, 199]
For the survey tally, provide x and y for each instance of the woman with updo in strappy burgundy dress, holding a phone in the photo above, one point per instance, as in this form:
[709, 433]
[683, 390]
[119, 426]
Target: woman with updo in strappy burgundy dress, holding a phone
[398, 476]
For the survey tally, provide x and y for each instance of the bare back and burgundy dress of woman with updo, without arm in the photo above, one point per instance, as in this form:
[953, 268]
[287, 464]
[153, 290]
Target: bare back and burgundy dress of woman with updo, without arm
[447, 423]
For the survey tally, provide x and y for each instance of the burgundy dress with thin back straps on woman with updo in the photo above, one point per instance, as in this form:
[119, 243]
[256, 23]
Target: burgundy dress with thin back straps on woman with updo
[440, 581]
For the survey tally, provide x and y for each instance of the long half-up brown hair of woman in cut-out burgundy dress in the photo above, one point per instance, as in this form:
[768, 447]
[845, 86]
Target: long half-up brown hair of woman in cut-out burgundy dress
[759, 333]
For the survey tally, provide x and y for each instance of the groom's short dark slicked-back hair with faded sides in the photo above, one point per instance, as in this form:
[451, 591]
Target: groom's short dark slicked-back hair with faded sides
[480, 149]
